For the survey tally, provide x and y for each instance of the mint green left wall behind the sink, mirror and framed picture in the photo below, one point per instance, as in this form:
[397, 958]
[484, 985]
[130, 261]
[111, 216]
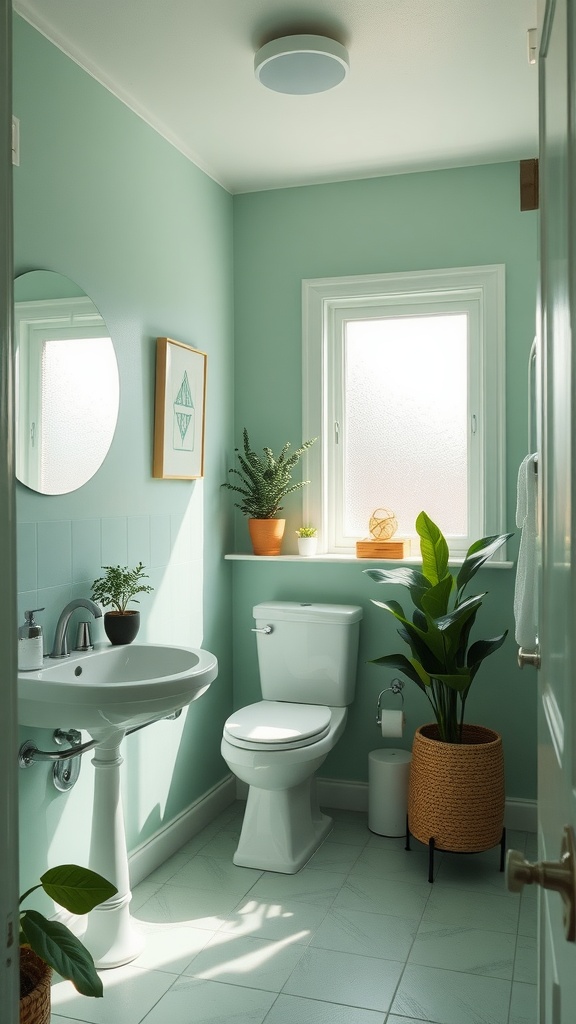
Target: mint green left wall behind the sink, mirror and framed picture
[103, 199]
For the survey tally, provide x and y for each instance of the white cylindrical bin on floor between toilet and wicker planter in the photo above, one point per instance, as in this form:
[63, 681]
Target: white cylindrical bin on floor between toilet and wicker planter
[388, 791]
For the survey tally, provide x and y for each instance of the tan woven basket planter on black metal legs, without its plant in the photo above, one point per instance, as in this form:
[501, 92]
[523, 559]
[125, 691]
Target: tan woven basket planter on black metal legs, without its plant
[457, 791]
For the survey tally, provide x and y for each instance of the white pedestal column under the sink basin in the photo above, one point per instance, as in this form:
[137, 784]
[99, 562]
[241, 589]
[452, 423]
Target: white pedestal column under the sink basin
[112, 936]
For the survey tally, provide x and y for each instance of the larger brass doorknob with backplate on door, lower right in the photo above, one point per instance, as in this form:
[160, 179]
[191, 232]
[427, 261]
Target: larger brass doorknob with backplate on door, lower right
[557, 875]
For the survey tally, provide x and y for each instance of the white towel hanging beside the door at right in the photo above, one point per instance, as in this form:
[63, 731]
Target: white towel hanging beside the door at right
[526, 611]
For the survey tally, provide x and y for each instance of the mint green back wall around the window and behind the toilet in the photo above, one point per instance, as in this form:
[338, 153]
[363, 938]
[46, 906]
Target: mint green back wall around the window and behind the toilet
[451, 219]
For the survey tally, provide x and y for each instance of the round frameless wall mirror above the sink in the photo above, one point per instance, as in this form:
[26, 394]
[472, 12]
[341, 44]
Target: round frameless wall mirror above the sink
[67, 385]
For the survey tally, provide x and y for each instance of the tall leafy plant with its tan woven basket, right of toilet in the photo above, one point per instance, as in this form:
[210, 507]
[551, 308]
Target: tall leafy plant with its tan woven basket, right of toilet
[457, 791]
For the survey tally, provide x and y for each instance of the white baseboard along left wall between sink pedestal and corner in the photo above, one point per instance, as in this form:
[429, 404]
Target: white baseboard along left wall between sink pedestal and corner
[167, 841]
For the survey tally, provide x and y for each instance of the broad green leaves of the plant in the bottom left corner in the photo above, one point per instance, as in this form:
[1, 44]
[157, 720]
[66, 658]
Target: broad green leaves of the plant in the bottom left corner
[78, 890]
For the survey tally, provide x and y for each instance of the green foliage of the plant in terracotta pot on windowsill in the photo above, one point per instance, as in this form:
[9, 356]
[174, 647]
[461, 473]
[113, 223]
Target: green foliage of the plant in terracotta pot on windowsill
[265, 482]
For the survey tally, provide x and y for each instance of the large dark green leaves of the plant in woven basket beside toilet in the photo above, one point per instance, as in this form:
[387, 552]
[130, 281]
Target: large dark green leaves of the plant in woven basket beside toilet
[443, 662]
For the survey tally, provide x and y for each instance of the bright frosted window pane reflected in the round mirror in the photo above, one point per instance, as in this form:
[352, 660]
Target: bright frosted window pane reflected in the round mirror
[75, 376]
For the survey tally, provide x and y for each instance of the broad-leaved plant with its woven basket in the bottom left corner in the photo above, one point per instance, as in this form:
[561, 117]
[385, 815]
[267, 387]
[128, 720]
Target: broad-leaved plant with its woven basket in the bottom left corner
[48, 946]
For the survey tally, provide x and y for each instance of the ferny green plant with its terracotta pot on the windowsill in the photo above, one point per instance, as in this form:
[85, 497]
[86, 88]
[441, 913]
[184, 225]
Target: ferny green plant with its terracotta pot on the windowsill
[264, 485]
